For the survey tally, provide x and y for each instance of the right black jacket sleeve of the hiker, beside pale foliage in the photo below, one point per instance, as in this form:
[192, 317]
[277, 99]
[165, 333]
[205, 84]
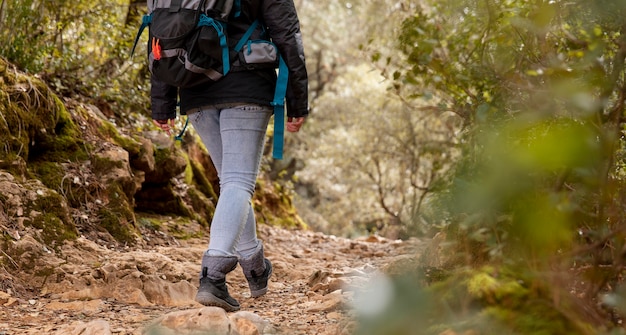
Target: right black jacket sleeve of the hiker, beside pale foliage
[282, 21]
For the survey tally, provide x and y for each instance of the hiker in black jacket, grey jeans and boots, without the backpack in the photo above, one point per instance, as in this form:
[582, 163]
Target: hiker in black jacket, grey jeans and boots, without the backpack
[231, 116]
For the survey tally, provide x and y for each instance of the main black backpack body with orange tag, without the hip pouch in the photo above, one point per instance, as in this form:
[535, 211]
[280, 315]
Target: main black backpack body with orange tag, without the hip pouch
[188, 42]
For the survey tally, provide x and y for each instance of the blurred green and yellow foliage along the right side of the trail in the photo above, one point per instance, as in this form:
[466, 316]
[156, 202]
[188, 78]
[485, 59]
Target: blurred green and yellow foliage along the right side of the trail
[539, 187]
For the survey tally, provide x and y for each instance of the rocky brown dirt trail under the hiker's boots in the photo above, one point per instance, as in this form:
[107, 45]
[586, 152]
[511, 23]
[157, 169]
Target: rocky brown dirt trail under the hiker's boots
[91, 288]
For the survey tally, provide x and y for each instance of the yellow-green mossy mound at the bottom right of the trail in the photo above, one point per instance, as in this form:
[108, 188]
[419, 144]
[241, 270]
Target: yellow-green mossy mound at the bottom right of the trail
[499, 301]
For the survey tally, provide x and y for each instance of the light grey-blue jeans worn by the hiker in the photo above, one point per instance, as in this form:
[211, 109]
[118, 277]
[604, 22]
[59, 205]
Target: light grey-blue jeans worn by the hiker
[234, 137]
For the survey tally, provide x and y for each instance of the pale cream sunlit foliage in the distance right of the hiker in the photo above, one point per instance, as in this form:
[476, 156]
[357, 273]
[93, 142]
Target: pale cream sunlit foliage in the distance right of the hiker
[371, 158]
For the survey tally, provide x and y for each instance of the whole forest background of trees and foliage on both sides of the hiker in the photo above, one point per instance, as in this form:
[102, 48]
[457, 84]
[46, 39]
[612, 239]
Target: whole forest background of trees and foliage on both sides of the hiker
[496, 126]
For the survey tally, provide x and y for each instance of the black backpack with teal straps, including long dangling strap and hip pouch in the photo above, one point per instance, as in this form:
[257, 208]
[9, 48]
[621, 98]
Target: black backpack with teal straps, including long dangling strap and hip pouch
[188, 45]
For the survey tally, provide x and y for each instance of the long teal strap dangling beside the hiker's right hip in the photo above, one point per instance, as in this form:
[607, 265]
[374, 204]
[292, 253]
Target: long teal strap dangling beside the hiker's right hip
[279, 108]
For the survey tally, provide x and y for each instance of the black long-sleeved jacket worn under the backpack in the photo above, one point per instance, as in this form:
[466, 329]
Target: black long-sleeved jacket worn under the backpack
[243, 85]
